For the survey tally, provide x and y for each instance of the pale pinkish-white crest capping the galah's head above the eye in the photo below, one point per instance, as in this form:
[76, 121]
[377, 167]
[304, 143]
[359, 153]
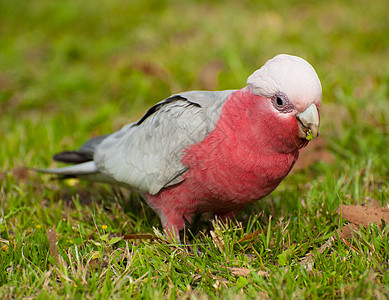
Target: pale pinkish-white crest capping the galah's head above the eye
[290, 75]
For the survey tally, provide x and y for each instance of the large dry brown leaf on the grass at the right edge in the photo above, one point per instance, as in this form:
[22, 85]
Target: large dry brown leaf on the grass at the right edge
[361, 215]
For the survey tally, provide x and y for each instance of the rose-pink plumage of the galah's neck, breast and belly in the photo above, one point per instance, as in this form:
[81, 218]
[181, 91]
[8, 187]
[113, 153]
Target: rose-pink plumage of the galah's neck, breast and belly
[239, 162]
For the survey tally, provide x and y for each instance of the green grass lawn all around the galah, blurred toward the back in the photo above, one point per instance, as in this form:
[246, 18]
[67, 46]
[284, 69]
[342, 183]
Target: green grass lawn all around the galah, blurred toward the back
[70, 70]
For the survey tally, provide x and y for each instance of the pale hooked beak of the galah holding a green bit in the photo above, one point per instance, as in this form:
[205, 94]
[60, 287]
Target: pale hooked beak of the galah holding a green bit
[309, 122]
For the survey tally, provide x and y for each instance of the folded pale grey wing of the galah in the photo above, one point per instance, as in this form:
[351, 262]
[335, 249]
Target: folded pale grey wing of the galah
[147, 155]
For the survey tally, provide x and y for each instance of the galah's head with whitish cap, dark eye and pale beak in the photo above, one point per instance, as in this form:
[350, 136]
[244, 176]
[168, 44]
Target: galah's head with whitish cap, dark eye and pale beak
[293, 88]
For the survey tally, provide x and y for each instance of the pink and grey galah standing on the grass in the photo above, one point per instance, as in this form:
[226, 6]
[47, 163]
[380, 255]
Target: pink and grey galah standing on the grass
[209, 151]
